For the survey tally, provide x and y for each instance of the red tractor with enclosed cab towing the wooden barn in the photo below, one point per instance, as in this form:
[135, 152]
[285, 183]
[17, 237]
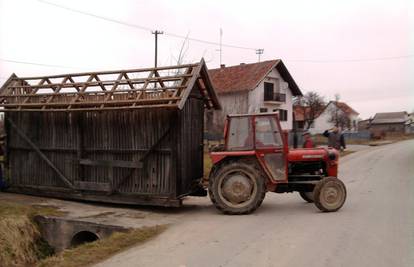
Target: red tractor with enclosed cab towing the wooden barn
[256, 159]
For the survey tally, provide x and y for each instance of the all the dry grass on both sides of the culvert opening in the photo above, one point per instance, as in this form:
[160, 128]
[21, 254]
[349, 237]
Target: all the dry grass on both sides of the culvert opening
[21, 243]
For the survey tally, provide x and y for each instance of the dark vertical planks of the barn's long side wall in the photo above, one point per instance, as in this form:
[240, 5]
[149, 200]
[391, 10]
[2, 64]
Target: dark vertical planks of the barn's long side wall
[110, 135]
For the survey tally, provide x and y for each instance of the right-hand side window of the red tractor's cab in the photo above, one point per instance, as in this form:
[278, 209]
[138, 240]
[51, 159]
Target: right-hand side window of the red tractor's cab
[267, 132]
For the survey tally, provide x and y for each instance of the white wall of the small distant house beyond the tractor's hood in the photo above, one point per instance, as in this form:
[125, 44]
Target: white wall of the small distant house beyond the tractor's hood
[322, 123]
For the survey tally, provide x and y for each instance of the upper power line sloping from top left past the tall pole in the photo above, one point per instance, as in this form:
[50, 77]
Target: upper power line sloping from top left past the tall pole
[133, 25]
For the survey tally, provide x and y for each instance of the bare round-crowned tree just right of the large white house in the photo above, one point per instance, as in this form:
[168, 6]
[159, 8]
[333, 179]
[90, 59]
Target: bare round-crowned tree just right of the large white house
[311, 104]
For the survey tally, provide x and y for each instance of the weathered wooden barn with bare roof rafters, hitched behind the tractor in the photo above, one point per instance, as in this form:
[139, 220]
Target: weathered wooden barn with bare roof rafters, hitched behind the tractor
[147, 155]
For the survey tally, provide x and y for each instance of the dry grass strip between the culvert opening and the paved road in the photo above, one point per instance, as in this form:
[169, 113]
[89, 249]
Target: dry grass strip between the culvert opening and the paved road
[92, 253]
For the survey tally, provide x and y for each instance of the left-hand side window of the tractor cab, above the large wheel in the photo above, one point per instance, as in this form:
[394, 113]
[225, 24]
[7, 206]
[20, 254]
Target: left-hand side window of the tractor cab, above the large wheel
[240, 134]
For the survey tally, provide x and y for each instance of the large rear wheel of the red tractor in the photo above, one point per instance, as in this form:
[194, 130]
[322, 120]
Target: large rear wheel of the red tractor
[237, 187]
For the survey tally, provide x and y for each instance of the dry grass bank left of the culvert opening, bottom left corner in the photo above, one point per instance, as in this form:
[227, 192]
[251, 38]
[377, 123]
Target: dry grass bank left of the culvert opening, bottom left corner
[20, 240]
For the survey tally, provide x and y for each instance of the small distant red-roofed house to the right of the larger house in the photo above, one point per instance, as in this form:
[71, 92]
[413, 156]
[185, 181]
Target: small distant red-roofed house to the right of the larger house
[326, 118]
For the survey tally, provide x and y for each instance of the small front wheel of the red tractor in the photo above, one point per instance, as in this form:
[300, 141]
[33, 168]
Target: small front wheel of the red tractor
[329, 194]
